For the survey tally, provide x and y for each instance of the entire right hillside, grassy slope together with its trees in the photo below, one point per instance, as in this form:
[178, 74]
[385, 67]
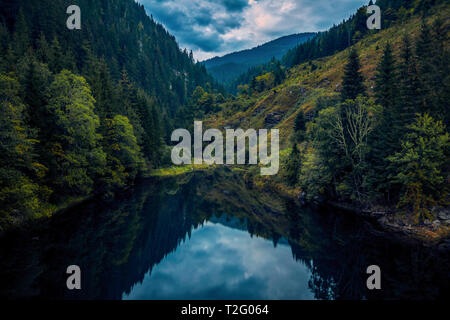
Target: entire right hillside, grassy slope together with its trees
[367, 125]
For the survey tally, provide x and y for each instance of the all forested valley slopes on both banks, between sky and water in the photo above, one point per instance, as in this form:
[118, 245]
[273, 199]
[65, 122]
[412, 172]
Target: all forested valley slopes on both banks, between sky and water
[90, 111]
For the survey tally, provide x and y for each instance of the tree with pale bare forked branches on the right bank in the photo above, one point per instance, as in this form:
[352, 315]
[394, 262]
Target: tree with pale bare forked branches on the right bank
[340, 137]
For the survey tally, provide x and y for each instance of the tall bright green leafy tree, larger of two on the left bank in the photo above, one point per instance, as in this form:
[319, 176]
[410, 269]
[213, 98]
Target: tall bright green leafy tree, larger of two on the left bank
[72, 147]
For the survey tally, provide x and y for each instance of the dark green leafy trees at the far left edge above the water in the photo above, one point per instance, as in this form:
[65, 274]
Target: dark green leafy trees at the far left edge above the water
[19, 195]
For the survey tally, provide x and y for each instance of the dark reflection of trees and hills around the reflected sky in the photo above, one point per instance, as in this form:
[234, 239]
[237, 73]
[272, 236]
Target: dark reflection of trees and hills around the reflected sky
[117, 243]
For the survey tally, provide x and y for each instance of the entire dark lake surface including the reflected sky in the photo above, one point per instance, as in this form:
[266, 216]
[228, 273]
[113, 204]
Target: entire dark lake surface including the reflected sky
[212, 236]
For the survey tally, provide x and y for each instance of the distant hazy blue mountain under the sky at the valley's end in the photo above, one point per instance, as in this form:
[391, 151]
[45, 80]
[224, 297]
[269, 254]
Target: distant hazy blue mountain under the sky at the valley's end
[227, 68]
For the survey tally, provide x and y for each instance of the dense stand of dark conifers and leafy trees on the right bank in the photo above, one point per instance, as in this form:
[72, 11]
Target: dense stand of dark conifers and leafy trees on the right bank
[387, 145]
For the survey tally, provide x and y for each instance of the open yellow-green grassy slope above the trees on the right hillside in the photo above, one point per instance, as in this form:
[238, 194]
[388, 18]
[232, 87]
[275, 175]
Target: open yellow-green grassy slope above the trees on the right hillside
[308, 83]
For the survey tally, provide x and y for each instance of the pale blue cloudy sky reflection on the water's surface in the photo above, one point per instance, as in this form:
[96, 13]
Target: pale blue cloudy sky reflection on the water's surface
[239, 267]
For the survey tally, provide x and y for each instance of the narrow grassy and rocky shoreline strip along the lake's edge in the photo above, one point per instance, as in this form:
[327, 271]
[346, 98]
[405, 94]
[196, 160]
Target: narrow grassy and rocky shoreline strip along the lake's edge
[388, 223]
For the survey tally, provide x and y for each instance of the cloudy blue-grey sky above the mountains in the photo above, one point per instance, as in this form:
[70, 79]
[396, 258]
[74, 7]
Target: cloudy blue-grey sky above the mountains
[216, 27]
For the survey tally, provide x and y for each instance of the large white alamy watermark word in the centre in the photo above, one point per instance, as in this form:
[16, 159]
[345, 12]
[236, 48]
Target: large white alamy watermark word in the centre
[213, 153]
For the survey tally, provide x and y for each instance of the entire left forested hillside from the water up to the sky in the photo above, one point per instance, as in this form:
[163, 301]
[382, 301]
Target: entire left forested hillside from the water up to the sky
[84, 111]
